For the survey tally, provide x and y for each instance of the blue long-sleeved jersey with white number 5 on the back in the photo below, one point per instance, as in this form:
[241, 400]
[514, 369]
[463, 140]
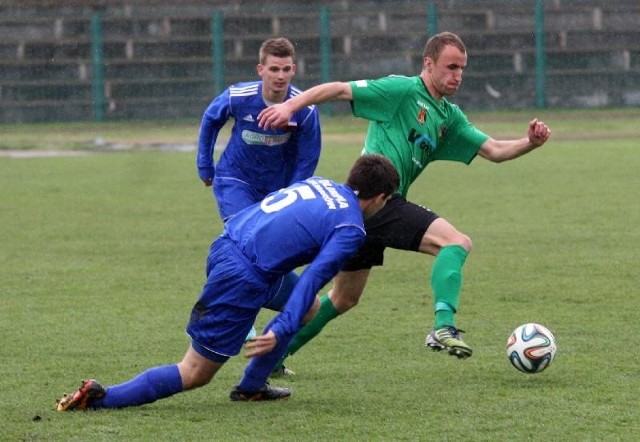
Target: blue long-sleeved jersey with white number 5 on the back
[316, 222]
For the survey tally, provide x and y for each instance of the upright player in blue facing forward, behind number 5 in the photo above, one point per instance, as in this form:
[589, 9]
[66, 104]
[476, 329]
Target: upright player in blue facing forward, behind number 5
[258, 161]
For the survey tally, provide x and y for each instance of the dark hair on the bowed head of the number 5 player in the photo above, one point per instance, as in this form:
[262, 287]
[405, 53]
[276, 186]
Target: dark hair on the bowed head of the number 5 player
[372, 175]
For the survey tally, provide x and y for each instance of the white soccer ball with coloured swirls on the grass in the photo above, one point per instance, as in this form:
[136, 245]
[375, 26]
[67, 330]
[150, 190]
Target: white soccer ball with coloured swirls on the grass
[531, 348]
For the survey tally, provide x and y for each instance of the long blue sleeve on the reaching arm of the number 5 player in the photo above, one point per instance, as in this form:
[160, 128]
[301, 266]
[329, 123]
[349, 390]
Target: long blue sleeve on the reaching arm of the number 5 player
[342, 245]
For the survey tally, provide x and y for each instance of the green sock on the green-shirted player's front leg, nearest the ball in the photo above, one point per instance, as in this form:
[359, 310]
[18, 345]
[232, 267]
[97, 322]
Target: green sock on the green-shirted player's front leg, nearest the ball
[446, 281]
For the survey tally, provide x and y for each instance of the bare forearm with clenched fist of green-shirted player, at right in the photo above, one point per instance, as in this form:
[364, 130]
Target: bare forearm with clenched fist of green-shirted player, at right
[502, 150]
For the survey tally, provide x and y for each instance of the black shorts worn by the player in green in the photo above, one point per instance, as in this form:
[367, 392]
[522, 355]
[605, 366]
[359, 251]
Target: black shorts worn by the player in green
[400, 225]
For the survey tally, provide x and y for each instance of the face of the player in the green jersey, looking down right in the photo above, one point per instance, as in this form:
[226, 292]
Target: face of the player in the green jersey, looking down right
[446, 72]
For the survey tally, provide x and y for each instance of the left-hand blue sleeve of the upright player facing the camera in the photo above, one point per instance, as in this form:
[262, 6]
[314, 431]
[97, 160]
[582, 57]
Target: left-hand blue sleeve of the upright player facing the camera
[215, 116]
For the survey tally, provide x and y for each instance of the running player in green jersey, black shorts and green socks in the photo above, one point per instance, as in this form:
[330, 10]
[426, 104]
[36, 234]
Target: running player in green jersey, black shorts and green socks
[413, 124]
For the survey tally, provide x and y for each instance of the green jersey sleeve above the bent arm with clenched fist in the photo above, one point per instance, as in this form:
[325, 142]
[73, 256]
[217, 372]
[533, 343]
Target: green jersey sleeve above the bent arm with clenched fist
[463, 140]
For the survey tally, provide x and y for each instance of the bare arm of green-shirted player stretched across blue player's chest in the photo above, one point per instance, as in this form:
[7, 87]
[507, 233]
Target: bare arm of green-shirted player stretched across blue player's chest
[278, 115]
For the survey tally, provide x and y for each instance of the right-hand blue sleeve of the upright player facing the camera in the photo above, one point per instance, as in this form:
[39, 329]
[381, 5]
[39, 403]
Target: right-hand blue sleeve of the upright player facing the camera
[309, 142]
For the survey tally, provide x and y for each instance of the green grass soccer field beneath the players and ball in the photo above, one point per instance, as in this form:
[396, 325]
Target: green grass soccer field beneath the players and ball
[102, 256]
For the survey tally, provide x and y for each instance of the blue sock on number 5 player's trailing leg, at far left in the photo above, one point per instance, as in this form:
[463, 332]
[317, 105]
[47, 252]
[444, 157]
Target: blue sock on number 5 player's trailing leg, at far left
[149, 386]
